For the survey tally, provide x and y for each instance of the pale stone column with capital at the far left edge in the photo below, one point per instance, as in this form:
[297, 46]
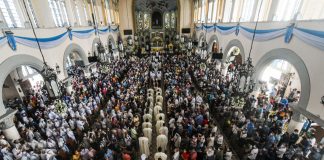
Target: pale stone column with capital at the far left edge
[7, 125]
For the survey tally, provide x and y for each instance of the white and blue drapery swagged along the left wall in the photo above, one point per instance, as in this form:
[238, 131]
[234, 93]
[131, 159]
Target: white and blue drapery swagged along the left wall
[54, 41]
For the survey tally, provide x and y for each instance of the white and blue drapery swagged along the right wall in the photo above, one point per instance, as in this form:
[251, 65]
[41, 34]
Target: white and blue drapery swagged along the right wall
[311, 37]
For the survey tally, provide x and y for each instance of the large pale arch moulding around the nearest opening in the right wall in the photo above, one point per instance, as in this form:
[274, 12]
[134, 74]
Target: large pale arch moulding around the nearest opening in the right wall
[300, 67]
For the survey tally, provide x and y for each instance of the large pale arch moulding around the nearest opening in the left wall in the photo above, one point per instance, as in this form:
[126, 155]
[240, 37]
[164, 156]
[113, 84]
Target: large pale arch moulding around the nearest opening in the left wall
[12, 63]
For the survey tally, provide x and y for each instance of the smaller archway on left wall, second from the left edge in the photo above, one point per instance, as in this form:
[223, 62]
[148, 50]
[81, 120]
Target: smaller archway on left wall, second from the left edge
[74, 55]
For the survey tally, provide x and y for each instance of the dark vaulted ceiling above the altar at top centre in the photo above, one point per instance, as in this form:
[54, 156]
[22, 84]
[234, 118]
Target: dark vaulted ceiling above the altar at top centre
[155, 5]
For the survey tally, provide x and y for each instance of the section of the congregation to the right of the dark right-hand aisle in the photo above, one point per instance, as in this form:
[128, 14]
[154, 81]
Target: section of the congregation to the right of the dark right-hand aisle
[256, 125]
